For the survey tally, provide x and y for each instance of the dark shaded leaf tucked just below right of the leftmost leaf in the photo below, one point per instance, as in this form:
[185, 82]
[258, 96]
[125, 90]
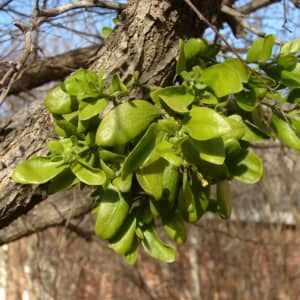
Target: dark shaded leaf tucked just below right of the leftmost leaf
[63, 181]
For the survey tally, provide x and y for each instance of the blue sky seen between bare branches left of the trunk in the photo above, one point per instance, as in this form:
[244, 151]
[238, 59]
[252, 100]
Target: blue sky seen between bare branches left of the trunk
[62, 34]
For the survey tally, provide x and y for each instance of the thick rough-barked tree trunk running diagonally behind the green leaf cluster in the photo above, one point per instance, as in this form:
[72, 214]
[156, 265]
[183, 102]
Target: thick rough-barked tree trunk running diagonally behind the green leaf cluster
[146, 40]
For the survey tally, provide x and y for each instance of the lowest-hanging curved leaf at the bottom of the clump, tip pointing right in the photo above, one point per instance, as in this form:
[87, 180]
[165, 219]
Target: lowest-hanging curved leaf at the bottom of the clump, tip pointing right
[153, 245]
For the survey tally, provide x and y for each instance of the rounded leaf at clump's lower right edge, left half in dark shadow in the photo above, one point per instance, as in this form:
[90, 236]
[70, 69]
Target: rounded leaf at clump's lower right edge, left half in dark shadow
[247, 167]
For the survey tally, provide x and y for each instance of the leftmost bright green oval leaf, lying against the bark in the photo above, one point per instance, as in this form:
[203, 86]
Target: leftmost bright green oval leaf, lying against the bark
[37, 170]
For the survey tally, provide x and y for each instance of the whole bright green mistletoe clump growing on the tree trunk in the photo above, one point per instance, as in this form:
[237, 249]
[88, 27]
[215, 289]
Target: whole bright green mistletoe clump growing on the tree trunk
[154, 161]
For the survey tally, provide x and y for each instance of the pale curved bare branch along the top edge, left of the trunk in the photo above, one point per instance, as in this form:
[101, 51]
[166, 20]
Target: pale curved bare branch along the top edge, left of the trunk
[80, 4]
